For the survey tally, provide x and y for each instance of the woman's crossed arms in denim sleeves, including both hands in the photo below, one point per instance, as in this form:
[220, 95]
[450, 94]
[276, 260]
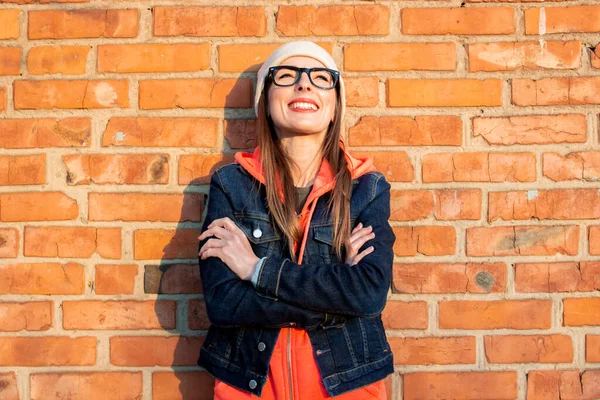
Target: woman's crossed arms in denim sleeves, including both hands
[287, 292]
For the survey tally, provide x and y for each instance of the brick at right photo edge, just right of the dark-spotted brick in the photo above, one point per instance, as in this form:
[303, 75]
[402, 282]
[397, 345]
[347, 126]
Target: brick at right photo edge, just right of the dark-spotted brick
[557, 277]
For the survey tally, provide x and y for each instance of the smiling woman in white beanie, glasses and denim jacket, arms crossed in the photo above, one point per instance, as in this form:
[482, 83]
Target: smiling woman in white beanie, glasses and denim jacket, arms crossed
[296, 249]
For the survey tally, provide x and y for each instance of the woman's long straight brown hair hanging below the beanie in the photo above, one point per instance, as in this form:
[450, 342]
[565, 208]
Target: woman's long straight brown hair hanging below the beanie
[277, 164]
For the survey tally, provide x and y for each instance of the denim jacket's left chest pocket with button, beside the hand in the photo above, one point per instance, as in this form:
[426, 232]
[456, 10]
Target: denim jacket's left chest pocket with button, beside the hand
[263, 238]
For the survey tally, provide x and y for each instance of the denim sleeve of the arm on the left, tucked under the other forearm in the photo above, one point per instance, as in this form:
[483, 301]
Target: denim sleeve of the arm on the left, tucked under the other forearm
[231, 301]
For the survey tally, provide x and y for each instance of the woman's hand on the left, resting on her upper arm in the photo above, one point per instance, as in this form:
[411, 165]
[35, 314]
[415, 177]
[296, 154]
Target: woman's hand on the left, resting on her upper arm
[230, 245]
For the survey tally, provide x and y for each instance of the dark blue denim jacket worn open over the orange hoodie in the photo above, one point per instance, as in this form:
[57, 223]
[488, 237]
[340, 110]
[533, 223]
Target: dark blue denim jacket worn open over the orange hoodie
[337, 304]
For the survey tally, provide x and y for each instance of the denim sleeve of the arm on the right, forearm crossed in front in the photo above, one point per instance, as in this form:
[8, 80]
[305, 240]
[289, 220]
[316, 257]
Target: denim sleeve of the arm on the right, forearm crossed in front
[358, 290]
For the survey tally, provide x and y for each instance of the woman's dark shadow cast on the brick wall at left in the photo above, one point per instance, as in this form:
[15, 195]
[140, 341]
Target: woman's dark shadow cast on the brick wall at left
[176, 280]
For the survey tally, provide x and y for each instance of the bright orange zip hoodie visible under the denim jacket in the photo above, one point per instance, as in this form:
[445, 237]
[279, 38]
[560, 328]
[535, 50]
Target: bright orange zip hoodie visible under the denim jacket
[293, 371]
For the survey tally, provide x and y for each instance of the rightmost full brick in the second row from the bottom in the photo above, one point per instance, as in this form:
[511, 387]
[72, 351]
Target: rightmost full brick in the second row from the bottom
[542, 349]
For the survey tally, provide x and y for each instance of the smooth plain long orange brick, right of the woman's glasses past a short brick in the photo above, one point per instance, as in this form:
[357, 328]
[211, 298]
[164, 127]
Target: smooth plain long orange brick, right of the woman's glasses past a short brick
[444, 92]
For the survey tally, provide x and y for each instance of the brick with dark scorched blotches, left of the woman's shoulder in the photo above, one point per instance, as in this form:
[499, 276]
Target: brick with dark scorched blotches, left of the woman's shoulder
[130, 169]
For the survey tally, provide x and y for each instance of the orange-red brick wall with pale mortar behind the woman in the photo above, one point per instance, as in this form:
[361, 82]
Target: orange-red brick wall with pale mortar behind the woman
[482, 114]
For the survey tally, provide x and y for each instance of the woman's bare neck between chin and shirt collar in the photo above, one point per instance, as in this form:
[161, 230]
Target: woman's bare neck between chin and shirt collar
[305, 152]
